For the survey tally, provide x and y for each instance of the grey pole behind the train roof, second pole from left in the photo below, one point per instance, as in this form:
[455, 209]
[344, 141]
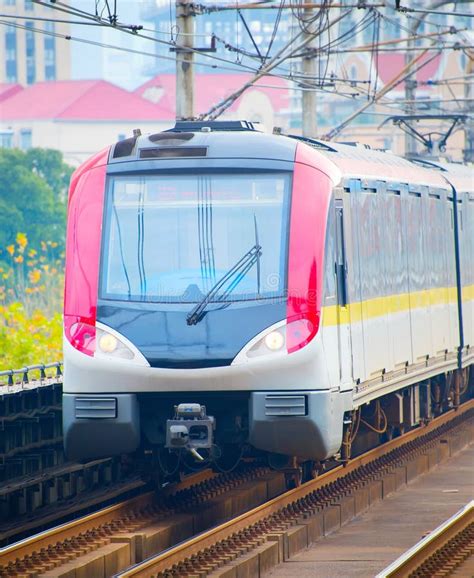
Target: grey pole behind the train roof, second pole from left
[308, 66]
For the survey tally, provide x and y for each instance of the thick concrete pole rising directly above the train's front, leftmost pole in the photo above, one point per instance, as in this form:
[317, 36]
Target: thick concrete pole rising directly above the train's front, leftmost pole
[184, 60]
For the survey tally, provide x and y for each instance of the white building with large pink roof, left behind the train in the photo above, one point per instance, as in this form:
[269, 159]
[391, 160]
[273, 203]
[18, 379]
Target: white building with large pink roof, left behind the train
[78, 118]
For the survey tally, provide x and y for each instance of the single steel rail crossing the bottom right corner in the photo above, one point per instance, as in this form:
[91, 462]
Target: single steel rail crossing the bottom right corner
[415, 557]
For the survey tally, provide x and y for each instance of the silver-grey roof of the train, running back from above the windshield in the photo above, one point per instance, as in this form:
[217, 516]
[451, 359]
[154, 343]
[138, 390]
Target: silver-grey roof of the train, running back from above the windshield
[240, 139]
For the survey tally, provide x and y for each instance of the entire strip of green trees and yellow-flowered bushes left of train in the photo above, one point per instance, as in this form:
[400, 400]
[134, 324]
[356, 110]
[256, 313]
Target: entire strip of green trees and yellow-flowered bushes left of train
[33, 187]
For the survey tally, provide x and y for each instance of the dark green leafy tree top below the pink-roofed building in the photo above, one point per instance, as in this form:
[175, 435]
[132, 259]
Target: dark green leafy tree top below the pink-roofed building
[32, 196]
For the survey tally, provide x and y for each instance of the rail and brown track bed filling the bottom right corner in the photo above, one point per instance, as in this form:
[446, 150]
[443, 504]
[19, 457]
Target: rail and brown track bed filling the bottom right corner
[448, 550]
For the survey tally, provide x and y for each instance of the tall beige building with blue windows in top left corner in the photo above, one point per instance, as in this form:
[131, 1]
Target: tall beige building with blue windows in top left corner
[29, 52]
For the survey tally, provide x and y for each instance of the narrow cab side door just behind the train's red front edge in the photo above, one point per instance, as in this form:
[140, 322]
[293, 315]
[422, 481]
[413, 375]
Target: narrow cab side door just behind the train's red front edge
[343, 320]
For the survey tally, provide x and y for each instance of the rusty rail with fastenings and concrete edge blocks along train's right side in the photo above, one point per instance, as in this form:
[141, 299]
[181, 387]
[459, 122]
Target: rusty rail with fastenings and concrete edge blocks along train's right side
[271, 533]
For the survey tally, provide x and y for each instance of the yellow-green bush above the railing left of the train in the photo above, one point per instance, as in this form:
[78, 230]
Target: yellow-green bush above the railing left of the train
[28, 339]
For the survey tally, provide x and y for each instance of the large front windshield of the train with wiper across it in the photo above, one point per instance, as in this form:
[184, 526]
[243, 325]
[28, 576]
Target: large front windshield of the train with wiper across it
[171, 238]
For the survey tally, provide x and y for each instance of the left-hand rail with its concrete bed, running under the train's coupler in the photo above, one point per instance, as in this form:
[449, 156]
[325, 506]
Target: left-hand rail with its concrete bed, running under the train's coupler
[115, 536]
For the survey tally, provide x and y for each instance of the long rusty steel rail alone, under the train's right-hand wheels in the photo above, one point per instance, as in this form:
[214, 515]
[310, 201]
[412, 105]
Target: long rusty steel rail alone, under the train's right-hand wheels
[188, 548]
